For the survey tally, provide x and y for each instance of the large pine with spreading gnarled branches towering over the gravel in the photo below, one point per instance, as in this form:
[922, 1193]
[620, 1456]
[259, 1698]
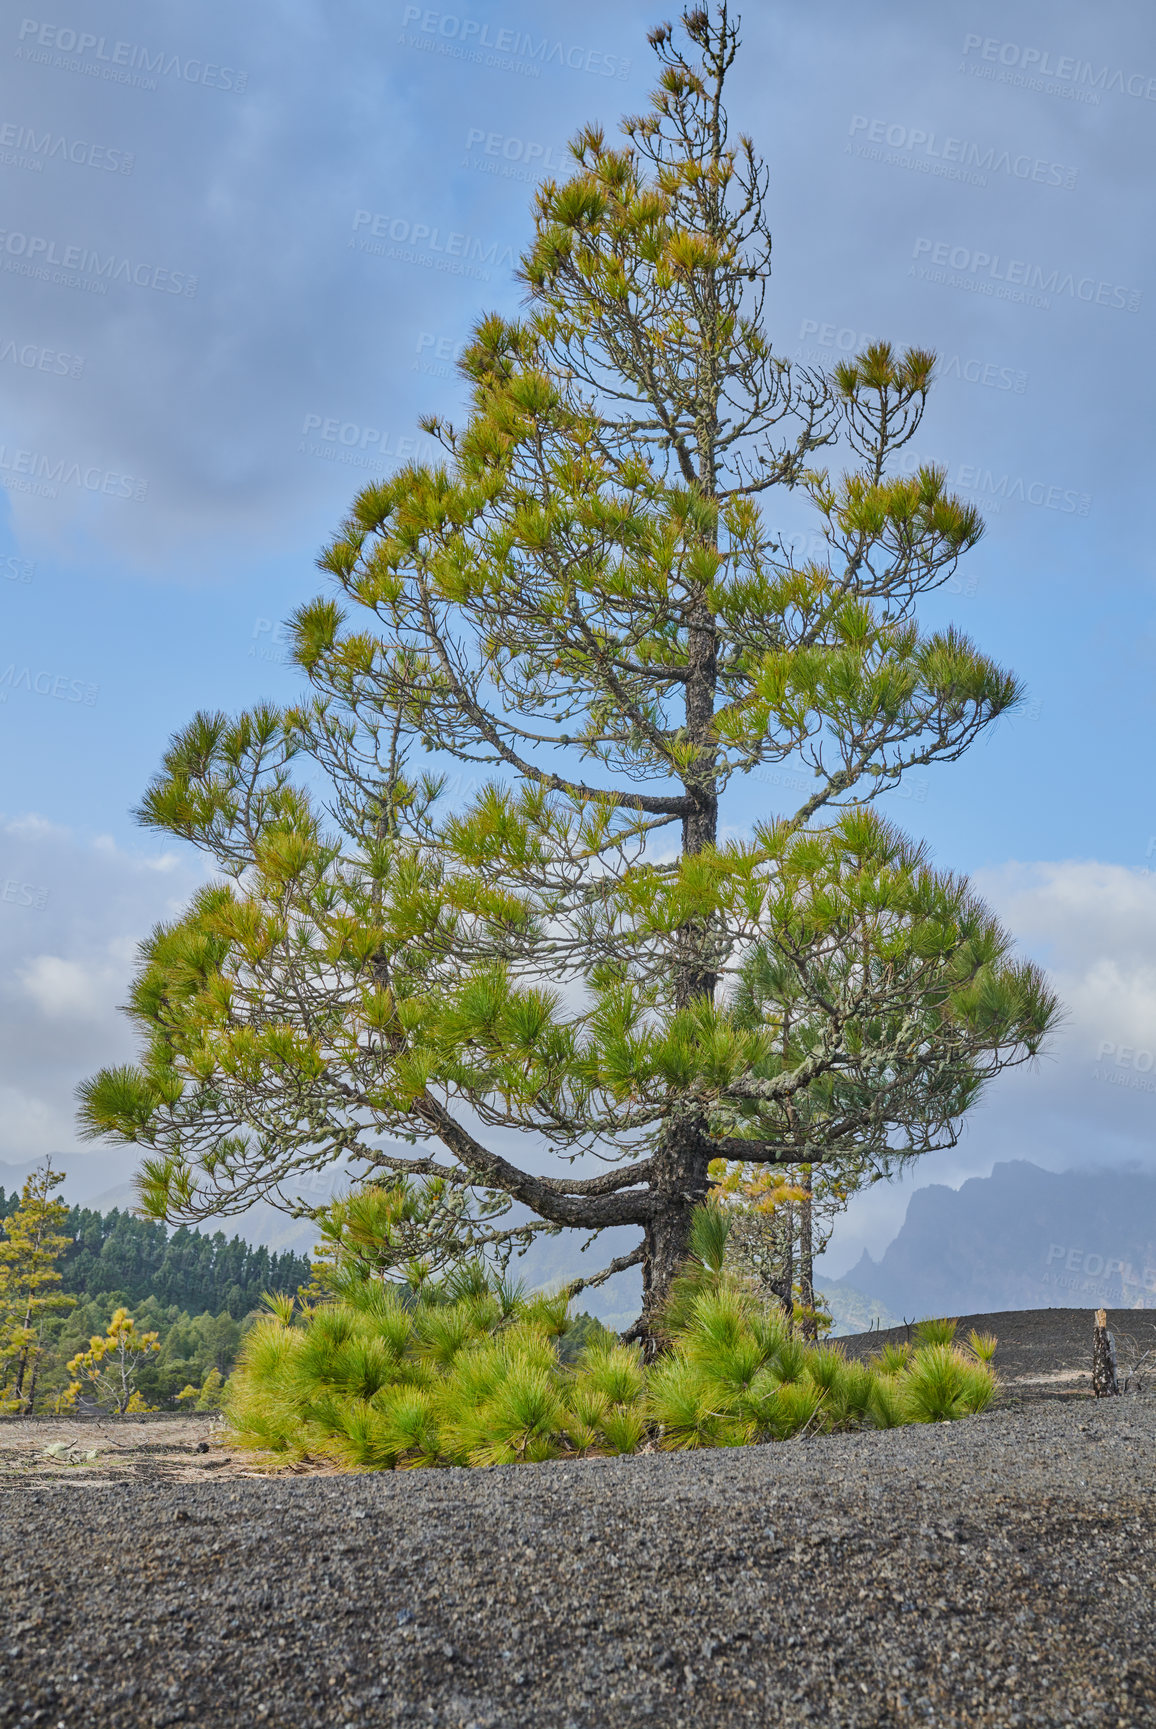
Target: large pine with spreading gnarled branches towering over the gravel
[590, 599]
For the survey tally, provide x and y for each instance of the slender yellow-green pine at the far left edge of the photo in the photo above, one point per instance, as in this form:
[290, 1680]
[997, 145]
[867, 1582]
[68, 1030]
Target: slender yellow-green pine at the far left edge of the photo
[30, 1249]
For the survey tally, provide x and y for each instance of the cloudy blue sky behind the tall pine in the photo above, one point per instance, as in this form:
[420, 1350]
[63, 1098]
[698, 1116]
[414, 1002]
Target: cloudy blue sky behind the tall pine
[175, 450]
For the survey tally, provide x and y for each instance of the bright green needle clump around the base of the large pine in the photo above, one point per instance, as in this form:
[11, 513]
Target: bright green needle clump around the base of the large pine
[471, 1370]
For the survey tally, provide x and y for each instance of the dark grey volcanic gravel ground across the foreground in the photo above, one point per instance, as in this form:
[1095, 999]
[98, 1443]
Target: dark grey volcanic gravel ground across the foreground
[996, 1571]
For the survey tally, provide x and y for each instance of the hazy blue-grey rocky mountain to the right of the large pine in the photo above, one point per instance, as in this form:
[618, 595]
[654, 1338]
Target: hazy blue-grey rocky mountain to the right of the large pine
[1022, 1239]
